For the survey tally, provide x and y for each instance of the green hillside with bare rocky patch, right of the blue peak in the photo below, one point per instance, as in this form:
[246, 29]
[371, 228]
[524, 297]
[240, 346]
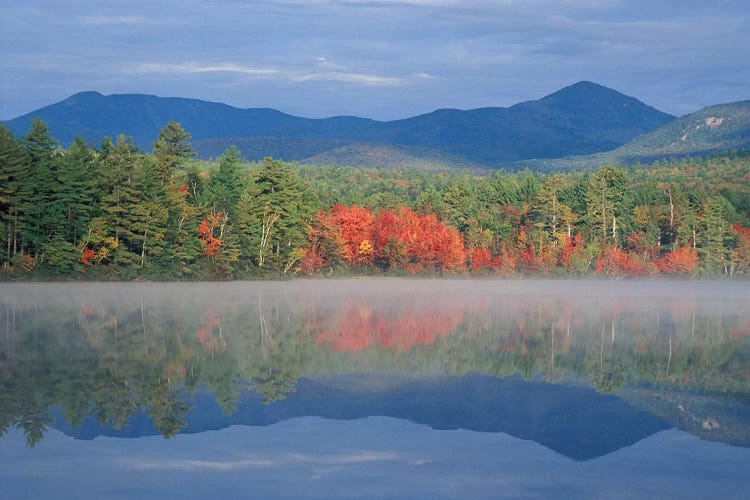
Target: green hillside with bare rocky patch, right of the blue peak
[714, 129]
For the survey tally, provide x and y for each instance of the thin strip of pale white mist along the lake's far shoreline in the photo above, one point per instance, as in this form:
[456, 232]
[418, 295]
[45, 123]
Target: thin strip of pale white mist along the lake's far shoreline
[636, 293]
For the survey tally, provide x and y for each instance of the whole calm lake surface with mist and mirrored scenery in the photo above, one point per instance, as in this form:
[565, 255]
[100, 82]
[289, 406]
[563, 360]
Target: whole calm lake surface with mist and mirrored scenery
[375, 388]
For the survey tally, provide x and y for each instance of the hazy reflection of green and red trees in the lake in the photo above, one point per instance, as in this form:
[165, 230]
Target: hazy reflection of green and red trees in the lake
[113, 355]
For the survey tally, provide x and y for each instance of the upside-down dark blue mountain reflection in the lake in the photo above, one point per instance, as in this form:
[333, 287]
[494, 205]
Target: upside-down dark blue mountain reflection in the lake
[574, 421]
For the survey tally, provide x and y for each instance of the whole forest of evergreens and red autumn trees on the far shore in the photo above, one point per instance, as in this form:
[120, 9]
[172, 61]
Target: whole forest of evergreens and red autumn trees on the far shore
[114, 212]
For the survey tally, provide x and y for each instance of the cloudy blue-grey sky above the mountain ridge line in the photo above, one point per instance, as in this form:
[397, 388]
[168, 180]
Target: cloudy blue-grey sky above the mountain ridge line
[382, 59]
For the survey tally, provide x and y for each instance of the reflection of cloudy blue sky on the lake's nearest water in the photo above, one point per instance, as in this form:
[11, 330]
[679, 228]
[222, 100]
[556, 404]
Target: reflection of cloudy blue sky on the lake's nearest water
[375, 457]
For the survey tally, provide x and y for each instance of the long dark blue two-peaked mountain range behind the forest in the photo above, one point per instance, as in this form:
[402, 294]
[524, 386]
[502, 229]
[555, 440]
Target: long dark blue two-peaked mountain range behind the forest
[580, 119]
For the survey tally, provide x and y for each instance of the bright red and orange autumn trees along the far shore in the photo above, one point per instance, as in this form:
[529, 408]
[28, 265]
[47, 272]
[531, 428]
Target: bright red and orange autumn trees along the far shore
[402, 239]
